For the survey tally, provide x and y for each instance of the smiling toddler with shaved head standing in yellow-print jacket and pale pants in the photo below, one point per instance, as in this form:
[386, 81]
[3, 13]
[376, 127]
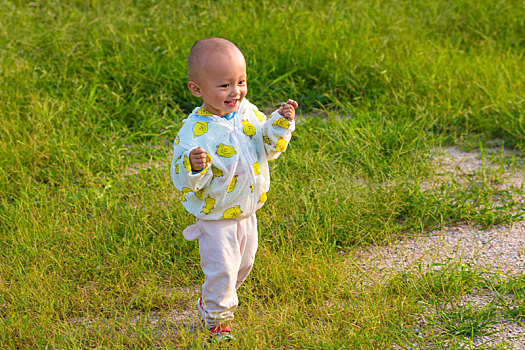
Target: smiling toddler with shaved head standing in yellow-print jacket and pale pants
[220, 164]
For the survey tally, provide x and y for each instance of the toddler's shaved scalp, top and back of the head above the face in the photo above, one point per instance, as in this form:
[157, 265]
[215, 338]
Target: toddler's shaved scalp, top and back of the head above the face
[205, 51]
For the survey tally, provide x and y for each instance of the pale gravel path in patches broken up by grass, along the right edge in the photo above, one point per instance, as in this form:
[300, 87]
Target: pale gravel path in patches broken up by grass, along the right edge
[500, 250]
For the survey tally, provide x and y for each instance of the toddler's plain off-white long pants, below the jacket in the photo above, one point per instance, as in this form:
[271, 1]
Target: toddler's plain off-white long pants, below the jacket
[227, 249]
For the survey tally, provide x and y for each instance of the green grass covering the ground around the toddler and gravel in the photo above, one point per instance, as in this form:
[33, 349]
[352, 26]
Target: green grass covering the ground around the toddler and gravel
[93, 94]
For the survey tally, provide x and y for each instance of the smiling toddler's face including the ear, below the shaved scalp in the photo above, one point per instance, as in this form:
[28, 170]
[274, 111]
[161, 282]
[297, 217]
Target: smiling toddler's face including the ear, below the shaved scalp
[221, 83]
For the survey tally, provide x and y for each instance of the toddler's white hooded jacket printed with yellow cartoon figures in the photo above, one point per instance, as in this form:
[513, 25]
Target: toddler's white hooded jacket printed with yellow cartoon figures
[236, 179]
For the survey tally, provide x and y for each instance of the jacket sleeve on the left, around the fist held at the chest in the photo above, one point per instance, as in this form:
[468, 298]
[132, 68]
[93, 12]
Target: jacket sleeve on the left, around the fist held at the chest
[181, 173]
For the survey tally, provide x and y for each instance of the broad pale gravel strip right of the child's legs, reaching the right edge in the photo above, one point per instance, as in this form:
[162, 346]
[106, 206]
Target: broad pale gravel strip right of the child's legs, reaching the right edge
[501, 249]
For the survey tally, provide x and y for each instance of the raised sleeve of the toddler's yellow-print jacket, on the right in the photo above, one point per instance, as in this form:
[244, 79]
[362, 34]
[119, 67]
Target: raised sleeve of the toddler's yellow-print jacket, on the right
[277, 132]
